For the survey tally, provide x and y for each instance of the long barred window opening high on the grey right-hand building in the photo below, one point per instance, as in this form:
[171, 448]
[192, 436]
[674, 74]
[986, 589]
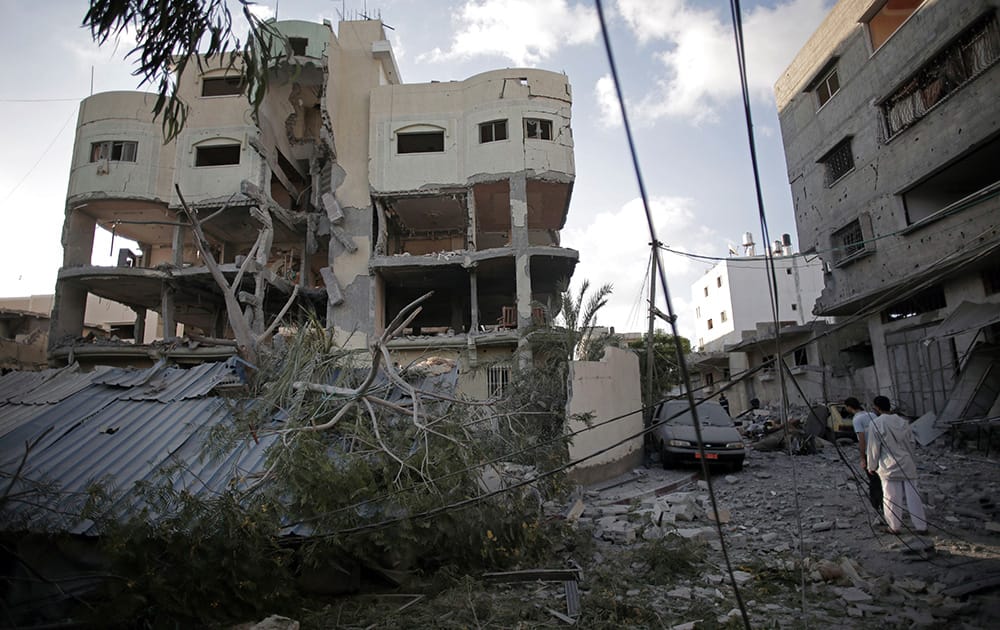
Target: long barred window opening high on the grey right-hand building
[975, 50]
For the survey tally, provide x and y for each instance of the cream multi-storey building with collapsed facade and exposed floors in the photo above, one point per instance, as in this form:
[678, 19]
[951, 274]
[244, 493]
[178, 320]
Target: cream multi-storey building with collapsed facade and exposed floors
[376, 192]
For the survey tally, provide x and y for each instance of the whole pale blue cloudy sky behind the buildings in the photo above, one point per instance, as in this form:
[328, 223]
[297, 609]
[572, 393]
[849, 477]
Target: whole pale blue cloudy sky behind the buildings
[678, 67]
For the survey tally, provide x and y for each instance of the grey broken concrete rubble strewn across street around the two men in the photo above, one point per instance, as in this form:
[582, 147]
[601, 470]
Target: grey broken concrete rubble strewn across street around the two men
[854, 575]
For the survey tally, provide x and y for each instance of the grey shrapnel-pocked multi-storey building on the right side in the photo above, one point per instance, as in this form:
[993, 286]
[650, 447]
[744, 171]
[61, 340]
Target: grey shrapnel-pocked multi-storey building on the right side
[892, 140]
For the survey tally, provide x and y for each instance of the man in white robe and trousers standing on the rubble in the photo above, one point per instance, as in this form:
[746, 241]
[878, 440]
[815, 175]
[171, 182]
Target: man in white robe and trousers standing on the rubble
[890, 453]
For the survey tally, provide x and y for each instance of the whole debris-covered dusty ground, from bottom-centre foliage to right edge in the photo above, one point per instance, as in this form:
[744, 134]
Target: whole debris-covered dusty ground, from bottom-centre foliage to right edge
[649, 556]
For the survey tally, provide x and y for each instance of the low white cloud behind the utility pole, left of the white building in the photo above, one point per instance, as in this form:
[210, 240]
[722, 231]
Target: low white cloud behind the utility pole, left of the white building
[601, 245]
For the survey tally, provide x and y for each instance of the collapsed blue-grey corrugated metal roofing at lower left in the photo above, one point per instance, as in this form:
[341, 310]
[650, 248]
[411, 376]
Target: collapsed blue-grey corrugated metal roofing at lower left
[121, 428]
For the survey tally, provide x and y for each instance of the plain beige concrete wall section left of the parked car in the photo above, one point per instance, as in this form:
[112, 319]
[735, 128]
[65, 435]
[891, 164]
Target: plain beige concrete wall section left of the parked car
[607, 389]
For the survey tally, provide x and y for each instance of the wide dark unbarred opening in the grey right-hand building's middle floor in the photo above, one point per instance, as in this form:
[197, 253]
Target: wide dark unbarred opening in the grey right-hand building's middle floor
[963, 183]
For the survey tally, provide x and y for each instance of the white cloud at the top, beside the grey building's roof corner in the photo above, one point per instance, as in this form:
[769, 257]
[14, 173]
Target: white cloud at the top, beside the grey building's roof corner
[699, 57]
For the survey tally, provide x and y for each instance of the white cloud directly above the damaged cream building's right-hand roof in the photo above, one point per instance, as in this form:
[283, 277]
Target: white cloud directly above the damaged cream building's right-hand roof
[524, 31]
